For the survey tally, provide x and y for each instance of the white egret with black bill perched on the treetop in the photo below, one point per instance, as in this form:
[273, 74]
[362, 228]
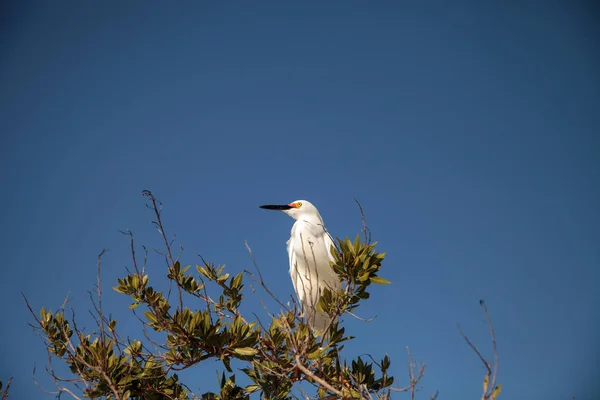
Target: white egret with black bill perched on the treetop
[309, 251]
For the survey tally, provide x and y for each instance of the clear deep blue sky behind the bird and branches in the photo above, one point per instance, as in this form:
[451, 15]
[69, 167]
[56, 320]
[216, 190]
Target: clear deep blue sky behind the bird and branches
[469, 133]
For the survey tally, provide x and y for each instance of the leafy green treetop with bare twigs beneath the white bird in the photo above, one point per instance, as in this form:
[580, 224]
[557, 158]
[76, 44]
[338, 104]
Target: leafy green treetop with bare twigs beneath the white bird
[282, 359]
